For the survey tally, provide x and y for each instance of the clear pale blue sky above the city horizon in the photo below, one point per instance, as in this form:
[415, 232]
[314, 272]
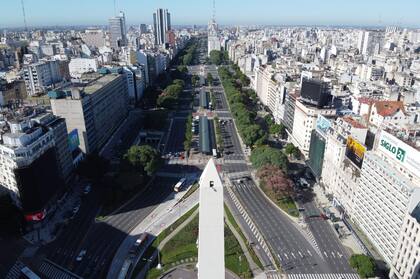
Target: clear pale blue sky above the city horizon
[228, 12]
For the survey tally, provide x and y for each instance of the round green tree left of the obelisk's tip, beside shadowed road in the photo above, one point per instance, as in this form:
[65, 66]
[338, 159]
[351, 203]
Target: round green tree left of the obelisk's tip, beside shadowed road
[144, 158]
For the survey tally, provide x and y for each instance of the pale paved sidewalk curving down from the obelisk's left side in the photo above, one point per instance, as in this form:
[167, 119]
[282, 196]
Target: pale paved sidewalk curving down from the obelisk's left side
[161, 218]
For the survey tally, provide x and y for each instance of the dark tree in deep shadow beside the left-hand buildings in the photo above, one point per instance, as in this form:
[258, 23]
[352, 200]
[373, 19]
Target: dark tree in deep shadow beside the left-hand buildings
[93, 167]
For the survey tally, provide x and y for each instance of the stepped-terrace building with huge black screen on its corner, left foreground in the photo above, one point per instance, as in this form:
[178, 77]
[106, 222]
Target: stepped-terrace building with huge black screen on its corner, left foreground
[35, 160]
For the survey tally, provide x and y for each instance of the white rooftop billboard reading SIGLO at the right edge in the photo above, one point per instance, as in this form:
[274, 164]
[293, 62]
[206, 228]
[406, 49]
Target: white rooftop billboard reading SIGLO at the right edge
[399, 152]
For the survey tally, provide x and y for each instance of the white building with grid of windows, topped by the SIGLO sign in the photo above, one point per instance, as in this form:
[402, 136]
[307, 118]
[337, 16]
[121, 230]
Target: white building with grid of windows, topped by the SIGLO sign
[389, 183]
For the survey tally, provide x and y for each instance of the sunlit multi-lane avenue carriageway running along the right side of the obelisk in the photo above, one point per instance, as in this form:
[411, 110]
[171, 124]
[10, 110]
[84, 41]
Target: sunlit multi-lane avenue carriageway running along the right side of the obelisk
[314, 252]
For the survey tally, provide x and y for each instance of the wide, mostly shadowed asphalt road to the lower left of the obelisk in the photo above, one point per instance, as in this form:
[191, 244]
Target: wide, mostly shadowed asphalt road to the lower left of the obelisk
[101, 239]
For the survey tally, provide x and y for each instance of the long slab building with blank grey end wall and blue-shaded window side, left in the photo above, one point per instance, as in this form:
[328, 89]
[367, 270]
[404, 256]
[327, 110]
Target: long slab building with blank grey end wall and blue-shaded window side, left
[95, 109]
